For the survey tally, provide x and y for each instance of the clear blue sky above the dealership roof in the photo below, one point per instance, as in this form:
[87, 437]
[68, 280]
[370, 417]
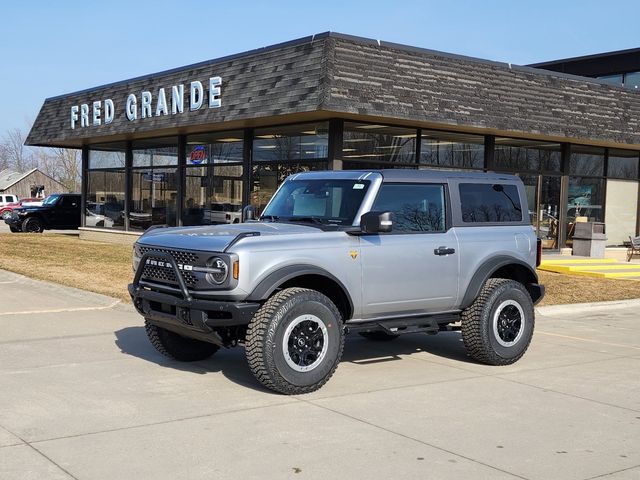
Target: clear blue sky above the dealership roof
[49, 48]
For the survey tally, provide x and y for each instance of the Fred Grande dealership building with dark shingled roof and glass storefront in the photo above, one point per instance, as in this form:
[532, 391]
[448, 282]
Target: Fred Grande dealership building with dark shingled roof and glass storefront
[193, 145]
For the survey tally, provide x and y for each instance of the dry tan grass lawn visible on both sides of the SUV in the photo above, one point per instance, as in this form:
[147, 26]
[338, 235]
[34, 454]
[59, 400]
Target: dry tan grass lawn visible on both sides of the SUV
[106, 268]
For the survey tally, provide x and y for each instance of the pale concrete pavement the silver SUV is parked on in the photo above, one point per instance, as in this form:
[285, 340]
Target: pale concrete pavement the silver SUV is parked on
[83, 395]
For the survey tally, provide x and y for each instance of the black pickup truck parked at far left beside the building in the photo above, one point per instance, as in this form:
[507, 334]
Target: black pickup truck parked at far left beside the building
[59, 211]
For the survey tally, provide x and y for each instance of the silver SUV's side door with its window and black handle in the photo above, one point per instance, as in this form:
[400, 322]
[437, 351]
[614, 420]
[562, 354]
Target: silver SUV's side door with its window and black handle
[413, 269]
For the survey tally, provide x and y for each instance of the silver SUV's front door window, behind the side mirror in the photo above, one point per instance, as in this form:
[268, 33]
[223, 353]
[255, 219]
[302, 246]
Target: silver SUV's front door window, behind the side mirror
[416, 208]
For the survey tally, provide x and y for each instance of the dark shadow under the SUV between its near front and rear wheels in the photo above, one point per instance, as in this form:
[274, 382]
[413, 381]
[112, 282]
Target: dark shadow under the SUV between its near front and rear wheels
[448, 345]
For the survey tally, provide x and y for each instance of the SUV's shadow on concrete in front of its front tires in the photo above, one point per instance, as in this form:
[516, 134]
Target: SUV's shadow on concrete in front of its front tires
[230, 362]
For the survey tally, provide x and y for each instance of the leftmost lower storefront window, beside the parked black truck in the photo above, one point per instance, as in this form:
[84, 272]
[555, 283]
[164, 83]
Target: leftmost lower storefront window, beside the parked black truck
[105, 199]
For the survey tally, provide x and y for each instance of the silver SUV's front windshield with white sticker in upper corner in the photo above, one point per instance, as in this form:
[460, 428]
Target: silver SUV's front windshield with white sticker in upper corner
[330, 202]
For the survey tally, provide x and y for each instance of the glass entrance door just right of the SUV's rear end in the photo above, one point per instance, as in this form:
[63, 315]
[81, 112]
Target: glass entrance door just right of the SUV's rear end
[543, 197]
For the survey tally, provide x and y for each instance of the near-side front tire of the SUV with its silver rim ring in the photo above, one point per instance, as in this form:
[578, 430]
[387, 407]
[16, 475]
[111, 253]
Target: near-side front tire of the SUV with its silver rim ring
[266, 335]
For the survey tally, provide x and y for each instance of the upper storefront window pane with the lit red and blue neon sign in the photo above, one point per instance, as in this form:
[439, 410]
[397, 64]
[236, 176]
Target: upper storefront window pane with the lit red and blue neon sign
[220, 147]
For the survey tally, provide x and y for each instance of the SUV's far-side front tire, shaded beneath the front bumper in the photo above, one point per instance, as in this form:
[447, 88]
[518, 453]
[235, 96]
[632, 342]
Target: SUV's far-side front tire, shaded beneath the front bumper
[176, 346]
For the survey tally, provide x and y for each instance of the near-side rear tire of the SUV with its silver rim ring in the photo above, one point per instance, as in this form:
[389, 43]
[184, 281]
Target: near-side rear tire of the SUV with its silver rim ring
[478, 333]
